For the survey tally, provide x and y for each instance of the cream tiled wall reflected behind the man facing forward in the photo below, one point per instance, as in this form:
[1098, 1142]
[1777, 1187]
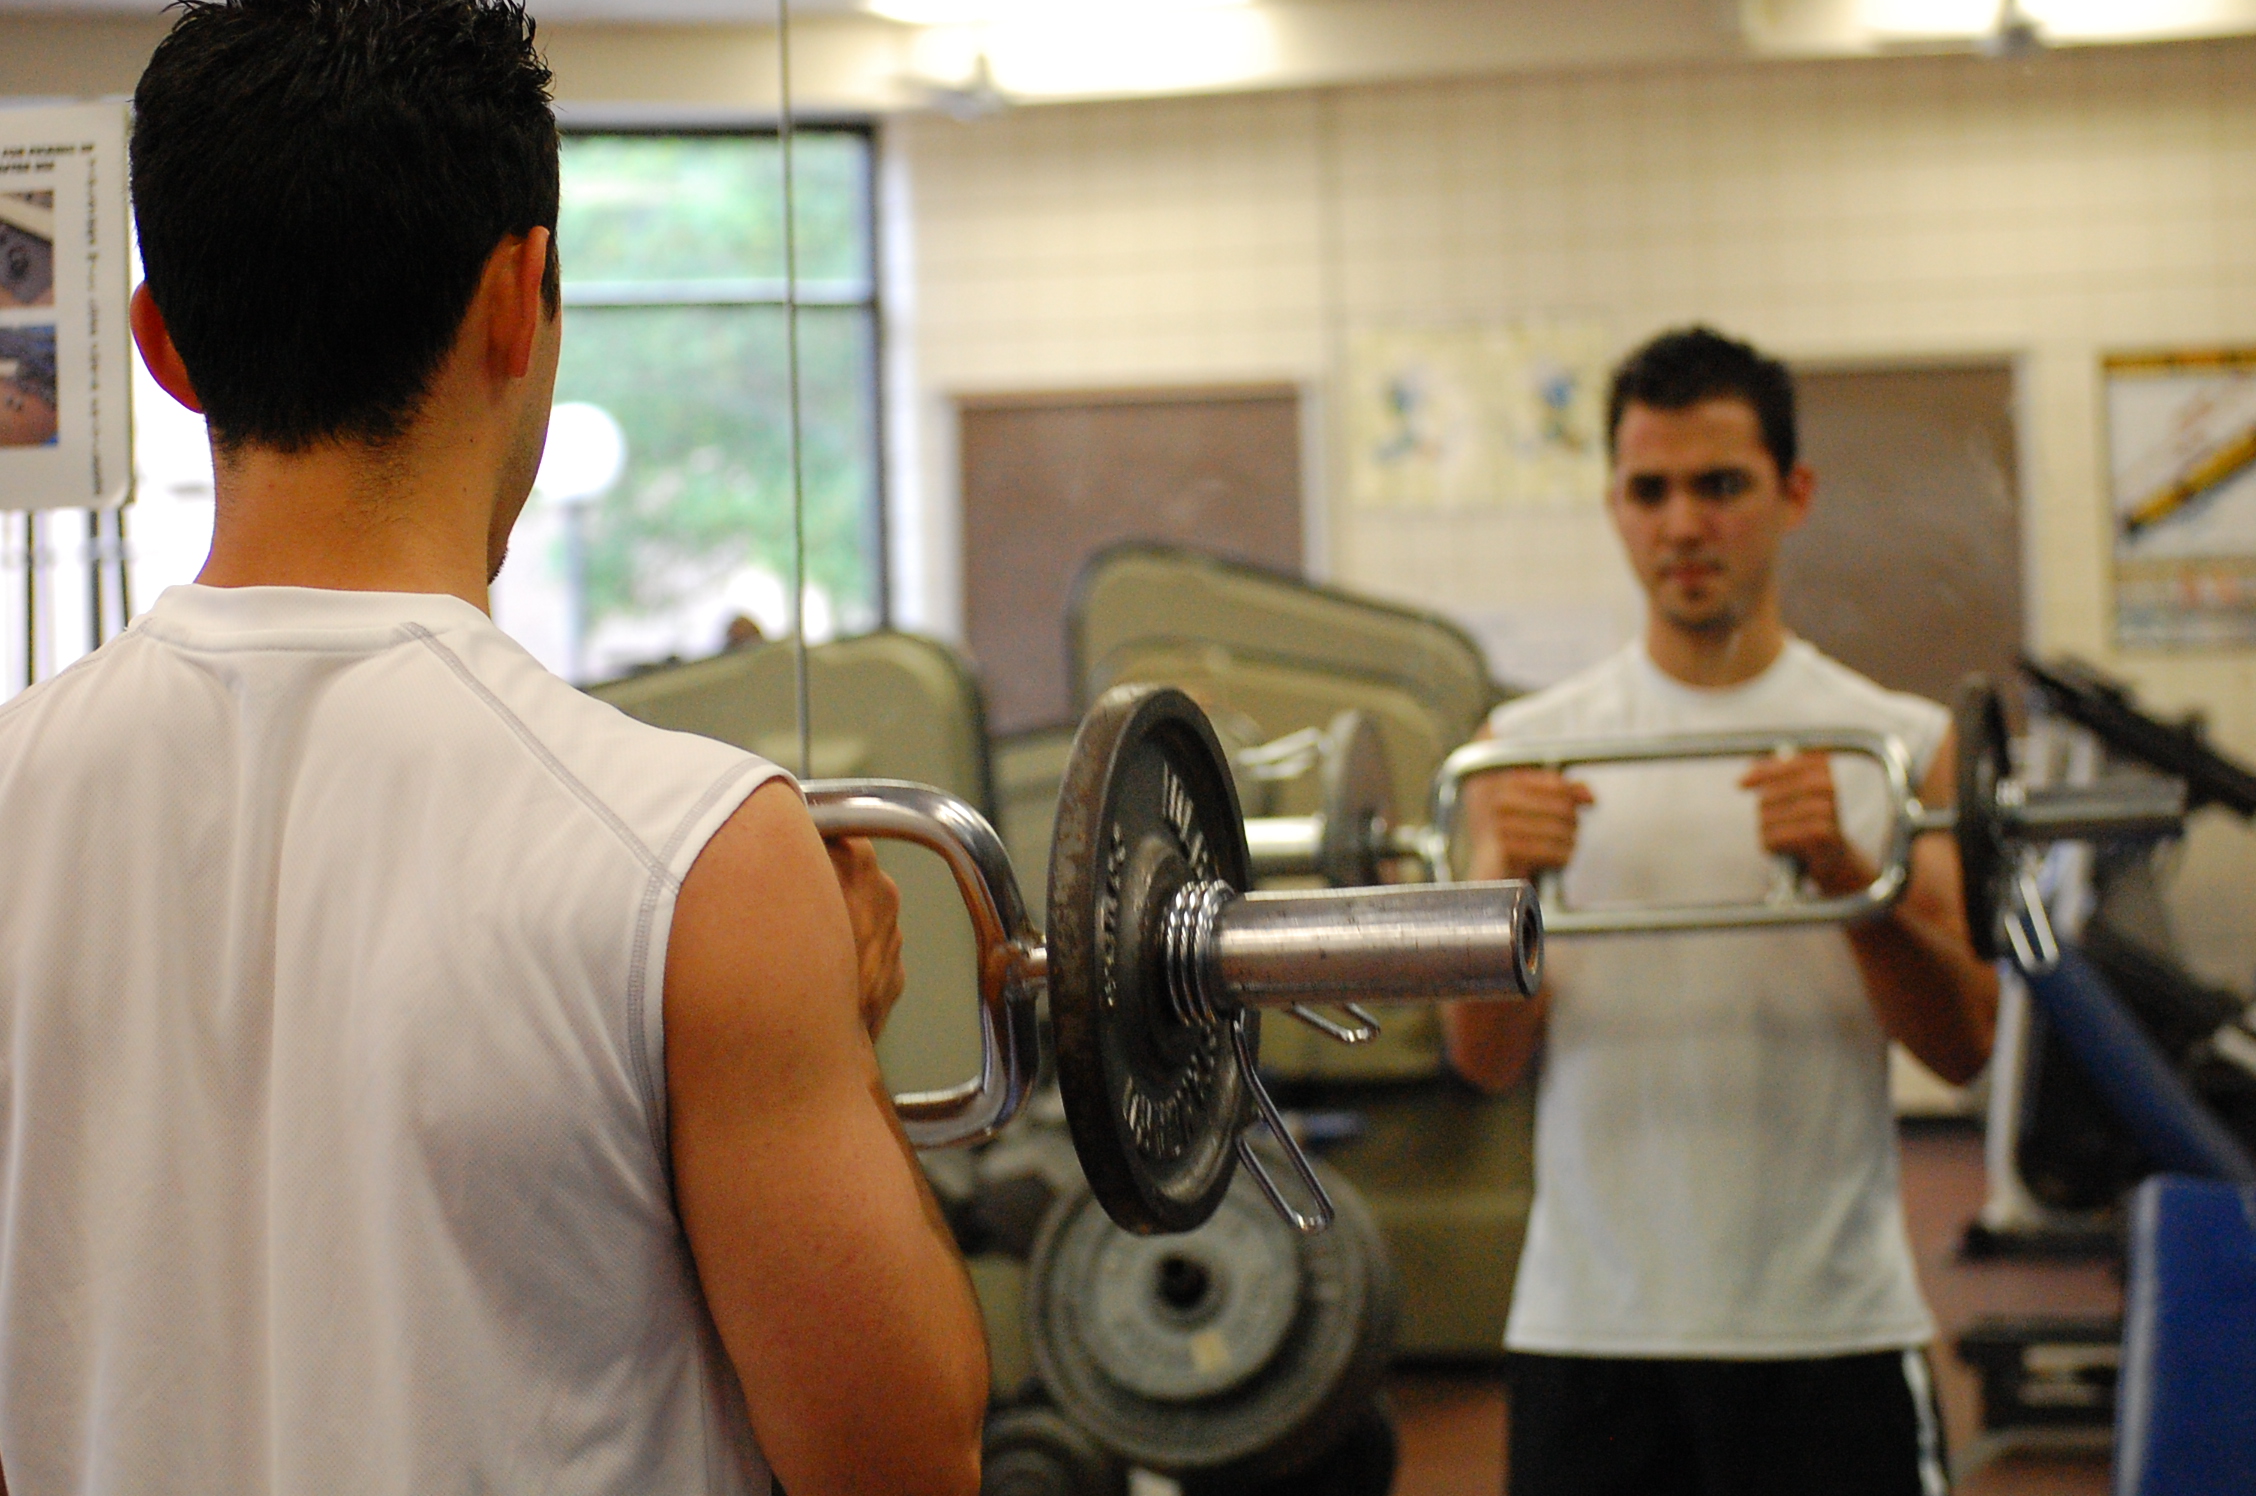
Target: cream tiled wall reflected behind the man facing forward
[1912, 209]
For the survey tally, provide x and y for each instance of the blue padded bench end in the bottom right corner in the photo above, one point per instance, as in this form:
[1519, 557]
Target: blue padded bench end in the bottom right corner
[2187, 1409]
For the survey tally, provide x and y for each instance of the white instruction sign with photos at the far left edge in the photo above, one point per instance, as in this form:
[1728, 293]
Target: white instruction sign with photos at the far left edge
[67, 351]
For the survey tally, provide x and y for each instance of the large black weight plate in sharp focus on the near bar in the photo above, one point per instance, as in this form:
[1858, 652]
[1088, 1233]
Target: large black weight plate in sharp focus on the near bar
[1154, 1105]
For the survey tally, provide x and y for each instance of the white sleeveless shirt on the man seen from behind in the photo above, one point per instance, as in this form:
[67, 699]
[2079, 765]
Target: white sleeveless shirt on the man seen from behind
[333, 1100]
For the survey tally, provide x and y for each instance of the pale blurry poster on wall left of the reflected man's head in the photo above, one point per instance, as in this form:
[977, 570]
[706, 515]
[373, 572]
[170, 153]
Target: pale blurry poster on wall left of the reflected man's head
[1492, 416]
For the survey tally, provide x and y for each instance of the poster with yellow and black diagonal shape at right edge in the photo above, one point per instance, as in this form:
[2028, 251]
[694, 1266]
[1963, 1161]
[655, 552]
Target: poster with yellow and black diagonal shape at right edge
[2183, 475]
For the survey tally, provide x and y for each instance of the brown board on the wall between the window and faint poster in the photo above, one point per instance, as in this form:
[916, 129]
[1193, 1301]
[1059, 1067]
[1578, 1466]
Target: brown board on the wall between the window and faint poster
[1055, 479]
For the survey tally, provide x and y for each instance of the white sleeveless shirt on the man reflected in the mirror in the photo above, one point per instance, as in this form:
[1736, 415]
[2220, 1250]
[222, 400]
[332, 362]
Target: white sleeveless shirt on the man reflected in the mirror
[1716, 1145]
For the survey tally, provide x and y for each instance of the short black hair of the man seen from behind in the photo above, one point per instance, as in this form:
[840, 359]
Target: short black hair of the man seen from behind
[319, 186]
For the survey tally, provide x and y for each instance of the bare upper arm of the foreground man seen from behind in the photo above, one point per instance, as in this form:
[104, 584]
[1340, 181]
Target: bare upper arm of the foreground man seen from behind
[831, 1276]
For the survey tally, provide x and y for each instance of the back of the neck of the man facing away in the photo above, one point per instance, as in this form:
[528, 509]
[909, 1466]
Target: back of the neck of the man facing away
[349, 518]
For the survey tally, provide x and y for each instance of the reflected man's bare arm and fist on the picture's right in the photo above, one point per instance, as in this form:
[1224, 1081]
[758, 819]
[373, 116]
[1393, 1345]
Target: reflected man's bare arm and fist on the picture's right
[1928, 987]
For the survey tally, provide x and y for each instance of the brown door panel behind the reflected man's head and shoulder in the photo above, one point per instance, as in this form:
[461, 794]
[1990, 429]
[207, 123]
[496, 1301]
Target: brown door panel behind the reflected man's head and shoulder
[1910, 567]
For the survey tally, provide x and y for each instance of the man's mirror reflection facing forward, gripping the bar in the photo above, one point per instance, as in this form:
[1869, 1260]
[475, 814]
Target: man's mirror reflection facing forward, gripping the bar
[1718, 1294]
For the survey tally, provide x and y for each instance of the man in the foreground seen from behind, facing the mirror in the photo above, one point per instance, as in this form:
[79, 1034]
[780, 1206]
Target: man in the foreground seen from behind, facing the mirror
[416, 1075]
